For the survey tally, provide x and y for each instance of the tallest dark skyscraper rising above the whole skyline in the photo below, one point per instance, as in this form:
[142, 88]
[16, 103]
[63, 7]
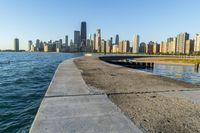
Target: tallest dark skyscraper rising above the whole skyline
[83, 36]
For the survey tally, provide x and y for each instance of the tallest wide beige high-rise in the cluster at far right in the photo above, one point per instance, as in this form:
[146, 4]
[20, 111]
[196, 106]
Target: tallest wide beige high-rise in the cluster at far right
[181, 42]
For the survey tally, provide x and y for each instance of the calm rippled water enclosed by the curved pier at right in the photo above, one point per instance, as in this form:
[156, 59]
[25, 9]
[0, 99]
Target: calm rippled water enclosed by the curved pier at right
[179, 72]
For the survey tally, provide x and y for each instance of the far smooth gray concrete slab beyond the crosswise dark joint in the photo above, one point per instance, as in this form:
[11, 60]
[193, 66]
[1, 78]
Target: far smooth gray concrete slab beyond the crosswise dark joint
[67, 80]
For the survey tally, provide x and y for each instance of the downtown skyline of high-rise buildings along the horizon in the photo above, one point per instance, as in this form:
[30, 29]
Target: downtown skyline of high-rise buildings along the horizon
[181, 44]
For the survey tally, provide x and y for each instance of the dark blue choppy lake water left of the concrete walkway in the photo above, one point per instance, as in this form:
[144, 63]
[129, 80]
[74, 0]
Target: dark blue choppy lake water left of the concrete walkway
[24, 79]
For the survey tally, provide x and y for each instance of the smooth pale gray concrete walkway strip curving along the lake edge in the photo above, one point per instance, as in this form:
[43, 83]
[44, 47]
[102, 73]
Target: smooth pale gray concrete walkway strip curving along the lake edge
[69, 107]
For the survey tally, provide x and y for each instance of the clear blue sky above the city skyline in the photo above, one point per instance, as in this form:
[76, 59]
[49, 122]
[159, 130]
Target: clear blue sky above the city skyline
[53, 19]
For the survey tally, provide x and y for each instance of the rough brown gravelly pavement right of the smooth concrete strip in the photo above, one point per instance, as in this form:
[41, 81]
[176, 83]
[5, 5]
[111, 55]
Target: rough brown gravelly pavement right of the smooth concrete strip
[138, 94]
